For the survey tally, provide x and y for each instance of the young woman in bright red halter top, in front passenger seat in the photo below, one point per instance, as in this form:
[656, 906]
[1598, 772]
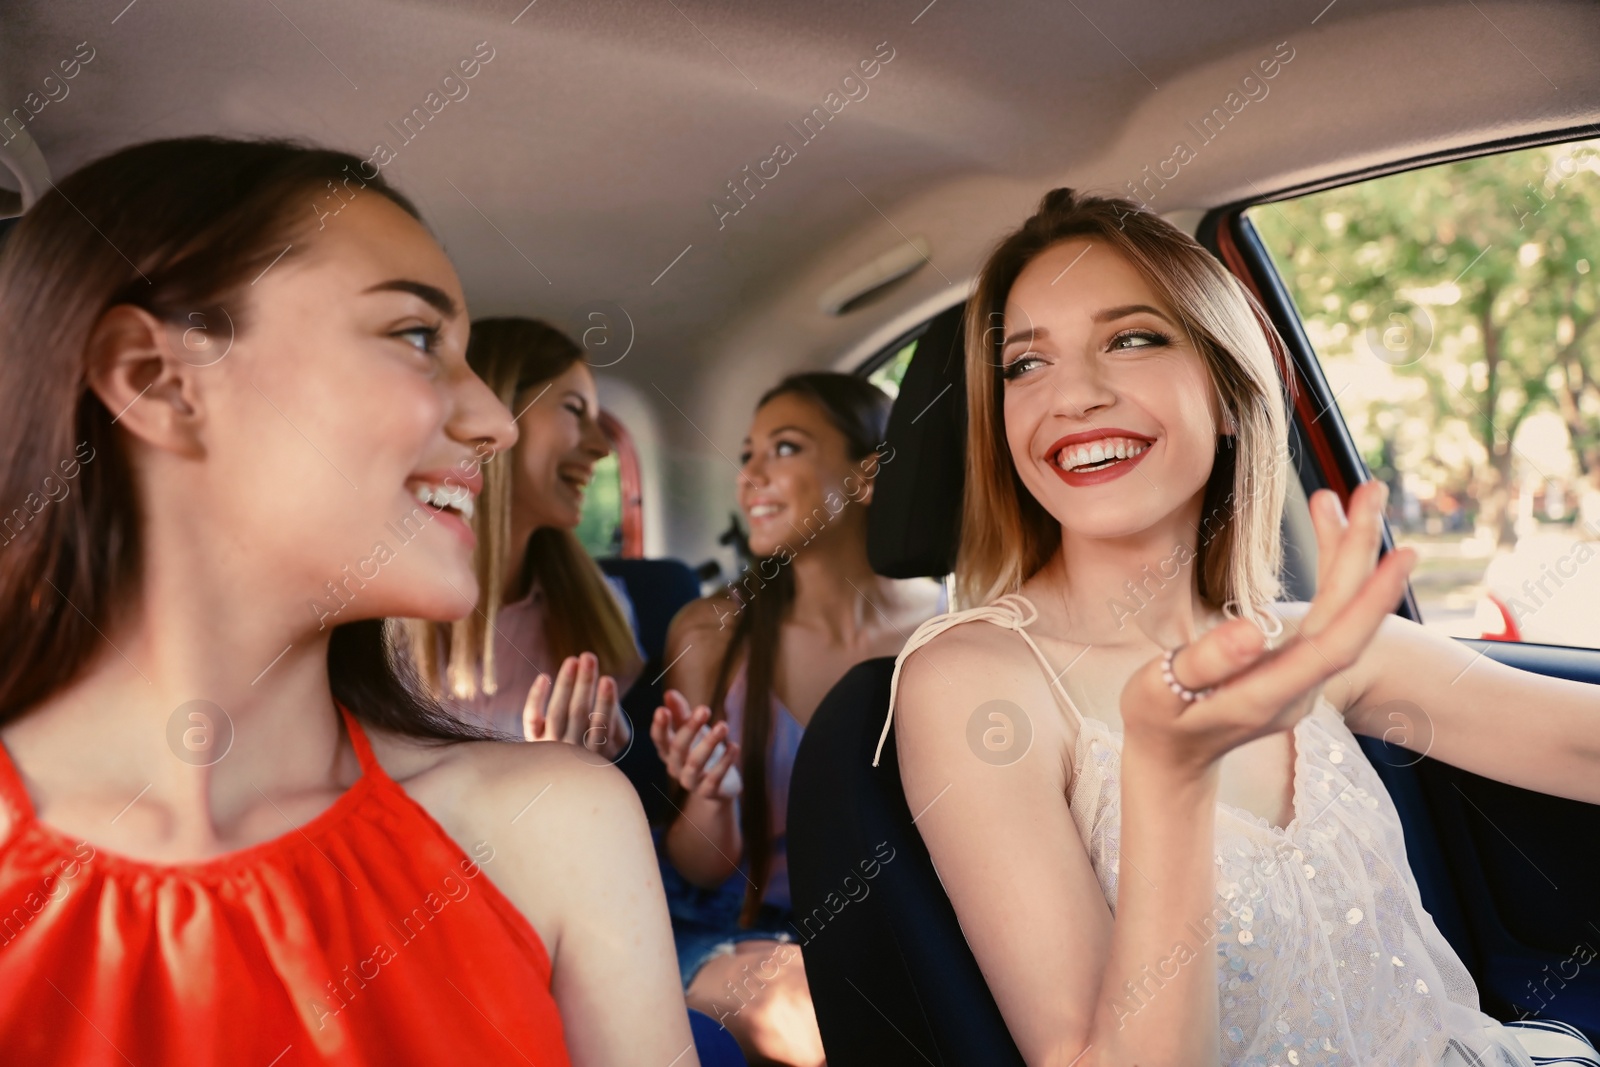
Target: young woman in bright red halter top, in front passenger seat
[241, 433]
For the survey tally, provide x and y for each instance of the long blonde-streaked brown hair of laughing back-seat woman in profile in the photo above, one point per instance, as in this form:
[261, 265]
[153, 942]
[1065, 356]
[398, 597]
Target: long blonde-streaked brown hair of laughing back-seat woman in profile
[514, 356]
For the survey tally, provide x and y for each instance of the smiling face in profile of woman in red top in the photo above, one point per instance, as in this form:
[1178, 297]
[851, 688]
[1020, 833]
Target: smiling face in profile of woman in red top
[343, 406]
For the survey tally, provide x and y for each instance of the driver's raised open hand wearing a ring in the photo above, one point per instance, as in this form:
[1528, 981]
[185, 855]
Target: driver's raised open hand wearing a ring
[1255, 690]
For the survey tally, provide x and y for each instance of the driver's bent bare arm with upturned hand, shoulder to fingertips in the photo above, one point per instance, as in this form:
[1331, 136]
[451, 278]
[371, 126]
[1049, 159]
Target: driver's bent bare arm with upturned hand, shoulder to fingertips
[1074, 985]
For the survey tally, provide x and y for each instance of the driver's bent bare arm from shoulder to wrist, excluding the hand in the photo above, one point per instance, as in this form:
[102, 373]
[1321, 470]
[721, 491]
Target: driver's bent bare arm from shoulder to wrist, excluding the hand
[1020, 877]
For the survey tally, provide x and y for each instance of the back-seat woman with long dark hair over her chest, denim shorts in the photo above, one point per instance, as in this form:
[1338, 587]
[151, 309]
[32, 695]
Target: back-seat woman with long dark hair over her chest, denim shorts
[807, 610]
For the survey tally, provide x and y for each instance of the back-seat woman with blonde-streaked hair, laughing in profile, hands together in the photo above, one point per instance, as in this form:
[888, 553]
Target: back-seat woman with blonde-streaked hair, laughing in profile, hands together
[513, 665]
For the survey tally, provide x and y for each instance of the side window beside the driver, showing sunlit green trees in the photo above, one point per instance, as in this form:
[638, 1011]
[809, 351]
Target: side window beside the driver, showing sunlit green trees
[1455, 314]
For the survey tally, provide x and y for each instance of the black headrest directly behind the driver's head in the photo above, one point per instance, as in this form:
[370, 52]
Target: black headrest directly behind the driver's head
[916, 519]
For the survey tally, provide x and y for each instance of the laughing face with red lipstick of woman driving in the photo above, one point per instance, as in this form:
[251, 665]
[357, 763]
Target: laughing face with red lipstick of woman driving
[1110, 410]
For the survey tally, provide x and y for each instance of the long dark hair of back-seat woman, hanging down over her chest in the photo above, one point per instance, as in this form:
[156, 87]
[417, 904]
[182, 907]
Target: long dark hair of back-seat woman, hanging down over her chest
[862, 412]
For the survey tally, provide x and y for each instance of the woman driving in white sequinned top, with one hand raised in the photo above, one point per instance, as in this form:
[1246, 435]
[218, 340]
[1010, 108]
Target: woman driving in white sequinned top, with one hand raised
[1186, 858]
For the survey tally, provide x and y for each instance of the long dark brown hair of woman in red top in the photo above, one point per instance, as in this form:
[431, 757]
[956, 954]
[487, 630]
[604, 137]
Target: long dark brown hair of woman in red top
[177, 228]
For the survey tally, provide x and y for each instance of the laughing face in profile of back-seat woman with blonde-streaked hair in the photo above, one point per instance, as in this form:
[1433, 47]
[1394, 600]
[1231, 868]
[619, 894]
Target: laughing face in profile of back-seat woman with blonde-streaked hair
[561, 442]
